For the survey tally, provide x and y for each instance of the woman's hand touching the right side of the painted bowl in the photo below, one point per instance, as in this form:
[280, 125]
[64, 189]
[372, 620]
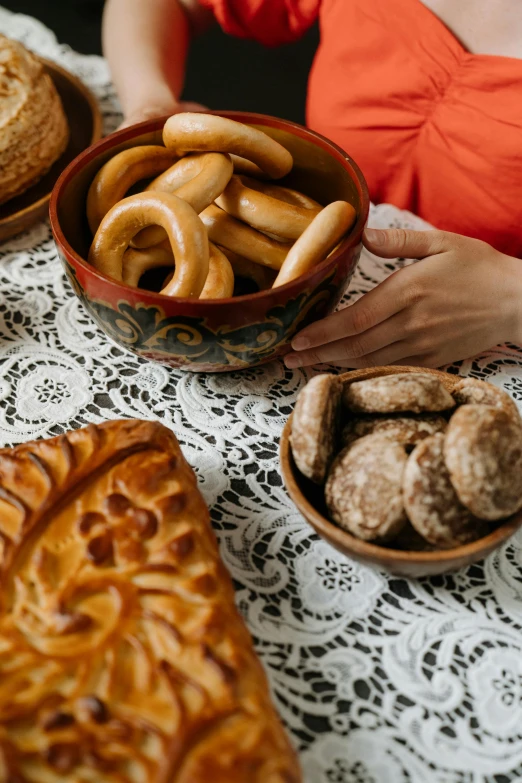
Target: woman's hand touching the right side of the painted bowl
[462, 298]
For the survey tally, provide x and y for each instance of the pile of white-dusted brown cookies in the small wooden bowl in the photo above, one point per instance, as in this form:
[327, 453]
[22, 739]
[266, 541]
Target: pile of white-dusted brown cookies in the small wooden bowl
[405, 463]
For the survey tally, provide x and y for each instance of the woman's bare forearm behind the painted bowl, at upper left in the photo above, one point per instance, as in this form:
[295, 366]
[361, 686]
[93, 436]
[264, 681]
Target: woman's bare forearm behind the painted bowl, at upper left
[146, 43]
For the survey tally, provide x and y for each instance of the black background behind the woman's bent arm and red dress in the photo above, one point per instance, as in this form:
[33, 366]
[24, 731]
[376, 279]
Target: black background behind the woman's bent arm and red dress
[223, 72]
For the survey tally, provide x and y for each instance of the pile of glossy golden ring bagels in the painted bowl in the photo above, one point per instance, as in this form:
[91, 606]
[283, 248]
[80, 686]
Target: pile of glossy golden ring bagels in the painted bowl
[209, 212]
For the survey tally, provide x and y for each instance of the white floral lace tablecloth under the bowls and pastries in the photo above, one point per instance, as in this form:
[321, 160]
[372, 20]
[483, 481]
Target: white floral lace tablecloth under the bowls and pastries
[379, 680]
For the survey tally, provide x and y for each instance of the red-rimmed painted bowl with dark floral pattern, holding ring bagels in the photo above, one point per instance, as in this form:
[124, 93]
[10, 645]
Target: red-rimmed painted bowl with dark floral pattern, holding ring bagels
[222, 334]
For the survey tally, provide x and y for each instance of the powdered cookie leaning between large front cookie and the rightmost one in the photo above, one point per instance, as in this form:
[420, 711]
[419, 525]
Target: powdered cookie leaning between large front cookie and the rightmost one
[431, 502]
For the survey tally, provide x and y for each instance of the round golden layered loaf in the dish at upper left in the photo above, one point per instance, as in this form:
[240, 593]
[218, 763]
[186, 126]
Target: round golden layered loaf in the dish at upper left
[33, 126]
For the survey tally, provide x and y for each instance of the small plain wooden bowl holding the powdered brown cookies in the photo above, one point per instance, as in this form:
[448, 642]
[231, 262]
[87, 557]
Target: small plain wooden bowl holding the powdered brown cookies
[308, 499]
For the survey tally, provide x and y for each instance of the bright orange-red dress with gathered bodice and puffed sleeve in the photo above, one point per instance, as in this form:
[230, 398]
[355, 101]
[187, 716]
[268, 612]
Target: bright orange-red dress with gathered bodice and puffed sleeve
[435, 129]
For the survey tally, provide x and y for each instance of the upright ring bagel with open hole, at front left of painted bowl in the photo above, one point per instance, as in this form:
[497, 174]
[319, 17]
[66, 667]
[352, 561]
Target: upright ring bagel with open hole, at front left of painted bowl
[187, 236]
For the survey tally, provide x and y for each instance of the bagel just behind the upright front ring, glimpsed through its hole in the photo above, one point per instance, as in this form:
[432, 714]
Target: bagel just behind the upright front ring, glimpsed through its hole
[198, 179]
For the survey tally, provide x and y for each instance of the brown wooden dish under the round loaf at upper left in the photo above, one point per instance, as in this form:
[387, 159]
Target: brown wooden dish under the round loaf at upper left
[85, 125]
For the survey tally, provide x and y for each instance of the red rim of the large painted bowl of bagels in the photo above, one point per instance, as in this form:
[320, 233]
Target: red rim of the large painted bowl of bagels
[246, 117]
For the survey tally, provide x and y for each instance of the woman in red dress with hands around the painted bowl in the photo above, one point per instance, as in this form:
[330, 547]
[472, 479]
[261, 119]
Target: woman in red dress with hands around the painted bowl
[426, 96]
